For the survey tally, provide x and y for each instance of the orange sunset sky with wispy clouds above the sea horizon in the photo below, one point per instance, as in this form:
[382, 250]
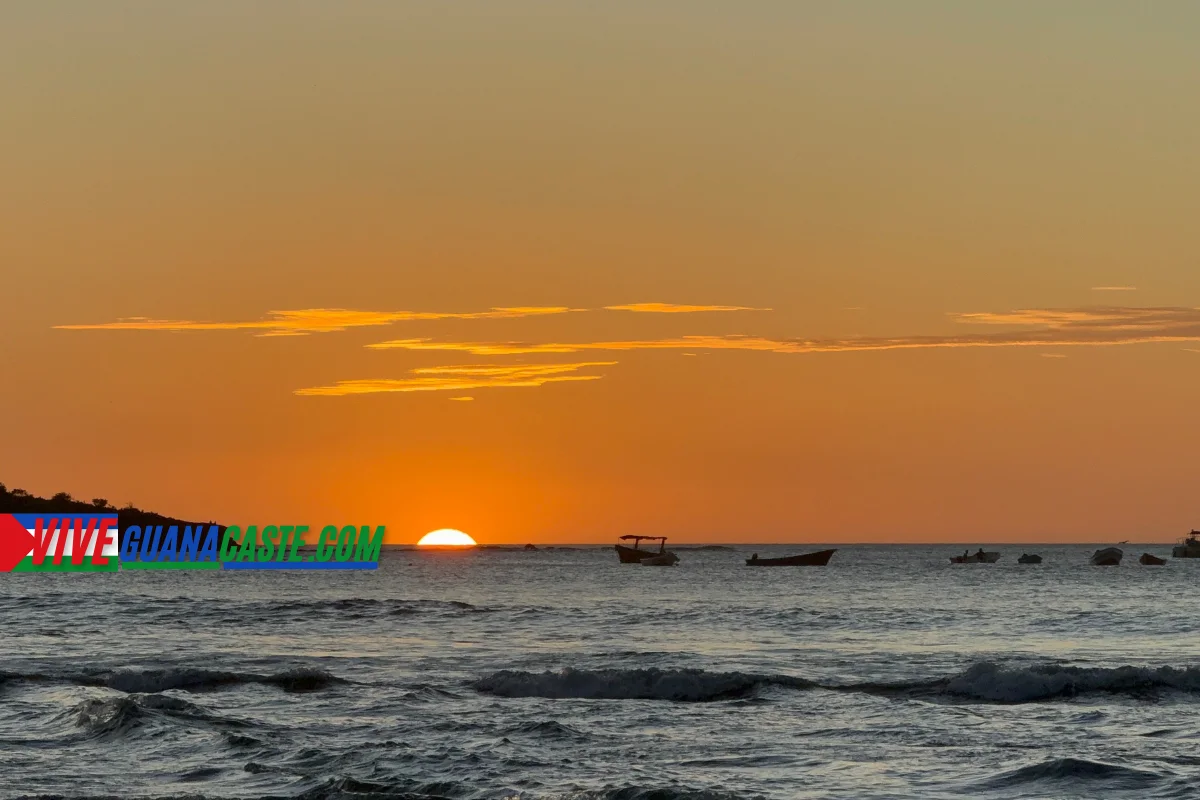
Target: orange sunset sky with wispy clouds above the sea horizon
[560, 272]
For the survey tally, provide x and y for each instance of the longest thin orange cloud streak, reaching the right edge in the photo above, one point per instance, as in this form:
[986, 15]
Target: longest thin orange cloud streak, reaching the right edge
[1099, 327]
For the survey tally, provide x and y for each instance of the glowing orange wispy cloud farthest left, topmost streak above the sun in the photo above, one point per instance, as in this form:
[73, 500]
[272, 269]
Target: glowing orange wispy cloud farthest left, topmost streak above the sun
[313, 321]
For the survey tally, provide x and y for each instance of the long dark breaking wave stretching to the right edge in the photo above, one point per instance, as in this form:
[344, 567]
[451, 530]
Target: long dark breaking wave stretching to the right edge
[987, 682]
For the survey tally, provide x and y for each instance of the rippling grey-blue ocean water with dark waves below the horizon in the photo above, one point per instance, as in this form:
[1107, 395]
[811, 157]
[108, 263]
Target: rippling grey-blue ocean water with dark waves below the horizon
[560, 673]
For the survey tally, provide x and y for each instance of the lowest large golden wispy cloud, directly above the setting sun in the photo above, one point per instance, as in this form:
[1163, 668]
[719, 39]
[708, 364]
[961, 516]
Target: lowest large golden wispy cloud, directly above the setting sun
[463, 378]
